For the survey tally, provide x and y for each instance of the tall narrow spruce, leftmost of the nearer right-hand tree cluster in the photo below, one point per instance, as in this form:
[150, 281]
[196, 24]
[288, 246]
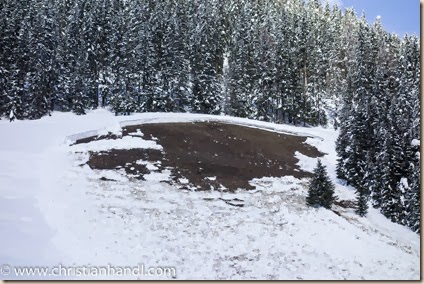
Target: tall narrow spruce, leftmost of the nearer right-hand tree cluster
[361, 81]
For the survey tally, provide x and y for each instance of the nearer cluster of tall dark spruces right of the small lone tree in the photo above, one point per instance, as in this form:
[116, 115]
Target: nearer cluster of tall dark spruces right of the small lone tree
[379, 123]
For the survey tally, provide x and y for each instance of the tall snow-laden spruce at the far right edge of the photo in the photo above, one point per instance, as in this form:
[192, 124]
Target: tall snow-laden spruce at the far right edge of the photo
[403, 130]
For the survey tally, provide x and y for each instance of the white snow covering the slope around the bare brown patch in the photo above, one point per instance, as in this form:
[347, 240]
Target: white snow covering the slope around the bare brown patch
[54, 211]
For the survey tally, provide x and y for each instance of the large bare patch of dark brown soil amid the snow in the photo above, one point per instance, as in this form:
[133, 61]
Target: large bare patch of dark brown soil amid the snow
[209, 154]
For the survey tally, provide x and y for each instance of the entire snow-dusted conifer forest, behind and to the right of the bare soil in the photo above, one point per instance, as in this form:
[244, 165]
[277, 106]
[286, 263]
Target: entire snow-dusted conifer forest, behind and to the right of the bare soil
[284, 61]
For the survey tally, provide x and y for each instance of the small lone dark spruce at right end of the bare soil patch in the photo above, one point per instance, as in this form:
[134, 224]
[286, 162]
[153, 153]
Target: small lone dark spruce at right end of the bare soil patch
[321, 189]
